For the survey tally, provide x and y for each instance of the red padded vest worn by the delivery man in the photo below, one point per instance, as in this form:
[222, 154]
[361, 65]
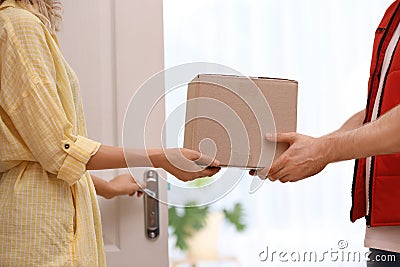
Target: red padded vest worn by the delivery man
[385, 186]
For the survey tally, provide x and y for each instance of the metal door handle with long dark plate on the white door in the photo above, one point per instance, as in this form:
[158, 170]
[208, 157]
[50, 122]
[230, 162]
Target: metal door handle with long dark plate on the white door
[151, 205]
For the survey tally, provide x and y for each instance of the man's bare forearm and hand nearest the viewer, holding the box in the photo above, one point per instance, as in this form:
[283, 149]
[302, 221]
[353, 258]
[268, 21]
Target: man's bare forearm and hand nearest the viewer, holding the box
[308, 156]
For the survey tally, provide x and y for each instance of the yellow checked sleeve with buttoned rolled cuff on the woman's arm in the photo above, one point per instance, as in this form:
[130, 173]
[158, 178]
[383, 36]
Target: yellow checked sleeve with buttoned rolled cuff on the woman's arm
[36, 102]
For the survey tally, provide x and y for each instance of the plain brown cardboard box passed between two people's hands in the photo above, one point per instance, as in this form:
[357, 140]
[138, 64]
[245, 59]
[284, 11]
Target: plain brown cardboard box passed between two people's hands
[228, 117]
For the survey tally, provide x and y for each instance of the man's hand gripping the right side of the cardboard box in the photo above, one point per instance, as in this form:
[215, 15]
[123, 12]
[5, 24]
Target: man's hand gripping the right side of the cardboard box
[305, 157]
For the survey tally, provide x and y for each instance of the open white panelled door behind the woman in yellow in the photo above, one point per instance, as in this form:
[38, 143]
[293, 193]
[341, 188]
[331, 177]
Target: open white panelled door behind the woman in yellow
[114, 46]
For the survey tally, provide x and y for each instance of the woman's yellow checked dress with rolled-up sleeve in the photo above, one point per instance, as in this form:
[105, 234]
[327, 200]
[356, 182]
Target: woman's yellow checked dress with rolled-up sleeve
[49, 215]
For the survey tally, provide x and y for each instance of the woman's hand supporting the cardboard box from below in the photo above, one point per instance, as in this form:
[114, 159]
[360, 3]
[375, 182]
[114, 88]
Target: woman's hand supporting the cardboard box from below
[184, 164]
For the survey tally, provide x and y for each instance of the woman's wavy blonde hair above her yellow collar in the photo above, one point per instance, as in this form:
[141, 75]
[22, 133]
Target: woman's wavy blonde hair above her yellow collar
[49, 11]
